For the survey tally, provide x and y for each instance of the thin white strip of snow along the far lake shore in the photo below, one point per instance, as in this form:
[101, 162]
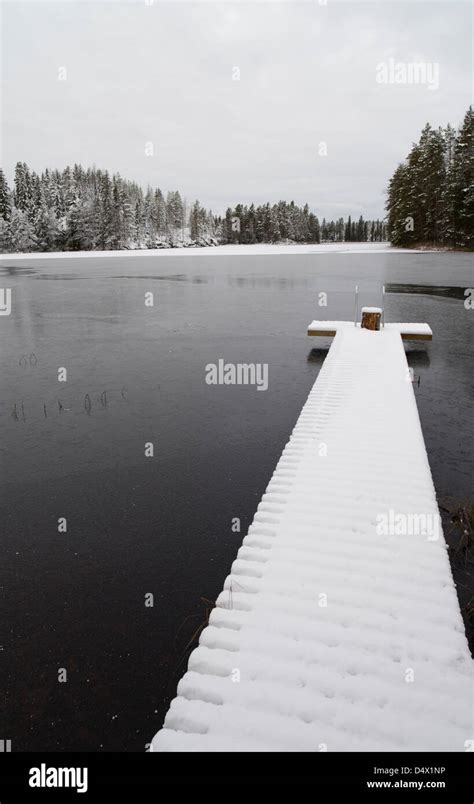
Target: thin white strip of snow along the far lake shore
[227, 250]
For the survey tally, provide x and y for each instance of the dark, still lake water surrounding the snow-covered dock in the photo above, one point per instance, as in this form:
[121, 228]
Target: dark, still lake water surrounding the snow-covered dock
[163, 525]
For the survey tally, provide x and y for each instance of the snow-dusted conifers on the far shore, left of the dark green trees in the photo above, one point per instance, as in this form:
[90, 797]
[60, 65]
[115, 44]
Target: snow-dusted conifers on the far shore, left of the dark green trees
[81, 209]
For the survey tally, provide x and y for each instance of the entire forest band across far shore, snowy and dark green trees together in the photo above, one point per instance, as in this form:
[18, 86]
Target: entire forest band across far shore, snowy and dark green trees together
[430, 201]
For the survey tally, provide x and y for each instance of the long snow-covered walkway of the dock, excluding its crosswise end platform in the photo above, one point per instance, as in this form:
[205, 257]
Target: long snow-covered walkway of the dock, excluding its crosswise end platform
[339, 627]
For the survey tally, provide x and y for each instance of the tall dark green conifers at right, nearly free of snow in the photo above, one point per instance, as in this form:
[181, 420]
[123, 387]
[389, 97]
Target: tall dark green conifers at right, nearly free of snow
[431, 194]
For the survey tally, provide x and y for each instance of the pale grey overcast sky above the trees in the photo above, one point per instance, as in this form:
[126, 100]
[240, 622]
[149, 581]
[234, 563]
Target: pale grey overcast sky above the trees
[150, 91]
